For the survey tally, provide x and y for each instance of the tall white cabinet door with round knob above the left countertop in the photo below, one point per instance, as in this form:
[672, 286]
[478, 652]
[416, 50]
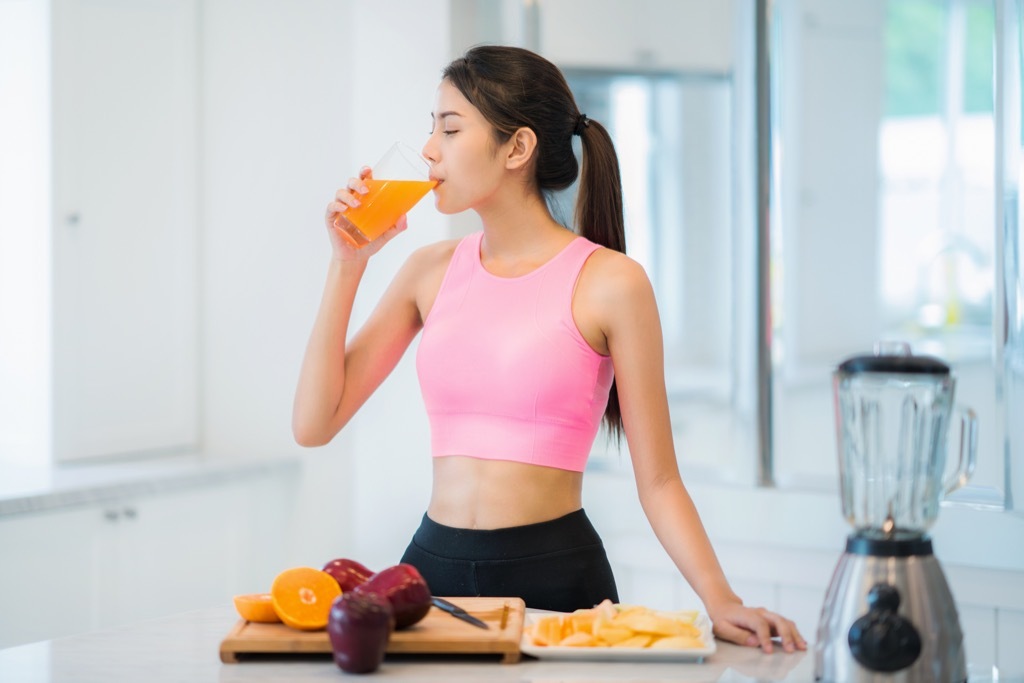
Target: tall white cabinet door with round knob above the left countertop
[125, 227]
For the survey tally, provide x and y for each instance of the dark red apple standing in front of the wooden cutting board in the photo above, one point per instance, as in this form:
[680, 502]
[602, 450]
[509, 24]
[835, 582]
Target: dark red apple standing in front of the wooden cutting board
[359, 626]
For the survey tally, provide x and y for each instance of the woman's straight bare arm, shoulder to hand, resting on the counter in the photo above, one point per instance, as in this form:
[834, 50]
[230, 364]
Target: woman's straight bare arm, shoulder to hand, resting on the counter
[623, 302]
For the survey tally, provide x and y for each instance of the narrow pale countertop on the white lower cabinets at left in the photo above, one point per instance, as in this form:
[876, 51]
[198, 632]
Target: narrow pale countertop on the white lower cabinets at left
[29, 489]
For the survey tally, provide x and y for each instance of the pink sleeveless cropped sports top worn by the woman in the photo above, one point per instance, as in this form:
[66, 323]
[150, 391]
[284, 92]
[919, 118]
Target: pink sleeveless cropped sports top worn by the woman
[504, 371]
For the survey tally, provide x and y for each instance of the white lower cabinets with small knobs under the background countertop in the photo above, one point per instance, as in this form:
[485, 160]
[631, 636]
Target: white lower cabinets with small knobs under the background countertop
[77, 570]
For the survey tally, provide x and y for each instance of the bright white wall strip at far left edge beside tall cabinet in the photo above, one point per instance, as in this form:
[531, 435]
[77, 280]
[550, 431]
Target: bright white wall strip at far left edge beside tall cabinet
[25, 238]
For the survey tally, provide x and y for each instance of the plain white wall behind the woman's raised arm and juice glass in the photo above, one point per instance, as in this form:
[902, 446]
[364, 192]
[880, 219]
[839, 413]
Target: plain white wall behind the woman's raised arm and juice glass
[296, 98]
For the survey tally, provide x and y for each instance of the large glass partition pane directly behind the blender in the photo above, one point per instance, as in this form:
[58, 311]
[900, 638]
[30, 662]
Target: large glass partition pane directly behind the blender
[886, 201]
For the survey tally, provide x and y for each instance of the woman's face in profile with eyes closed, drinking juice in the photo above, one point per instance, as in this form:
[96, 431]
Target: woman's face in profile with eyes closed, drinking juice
[464, 156]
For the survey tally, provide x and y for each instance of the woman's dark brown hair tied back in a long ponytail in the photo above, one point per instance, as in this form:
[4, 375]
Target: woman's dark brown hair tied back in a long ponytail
[515, 89]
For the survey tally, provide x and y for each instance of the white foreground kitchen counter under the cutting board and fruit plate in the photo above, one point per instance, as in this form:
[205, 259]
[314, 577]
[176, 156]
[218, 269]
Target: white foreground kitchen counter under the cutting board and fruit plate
[185, 648]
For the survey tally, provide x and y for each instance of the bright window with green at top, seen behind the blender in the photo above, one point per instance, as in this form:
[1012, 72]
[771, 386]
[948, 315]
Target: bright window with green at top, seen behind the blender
[936, 144]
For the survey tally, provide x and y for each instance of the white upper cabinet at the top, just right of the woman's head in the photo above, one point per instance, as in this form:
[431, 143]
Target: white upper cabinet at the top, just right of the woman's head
[662, 35]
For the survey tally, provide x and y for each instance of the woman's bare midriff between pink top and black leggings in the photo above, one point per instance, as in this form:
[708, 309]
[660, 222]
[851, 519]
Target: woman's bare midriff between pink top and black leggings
[471, 493]
